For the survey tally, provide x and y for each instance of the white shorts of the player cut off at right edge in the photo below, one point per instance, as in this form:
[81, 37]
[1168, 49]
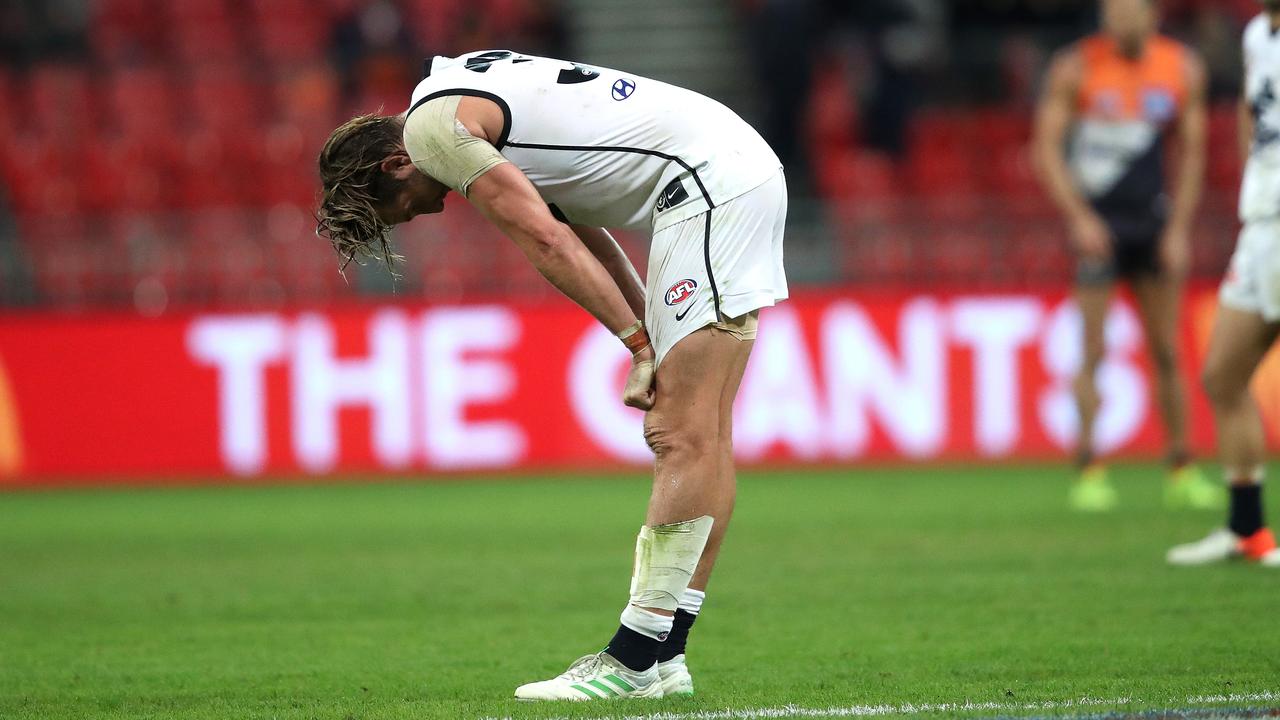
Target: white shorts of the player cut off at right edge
[1252, 282]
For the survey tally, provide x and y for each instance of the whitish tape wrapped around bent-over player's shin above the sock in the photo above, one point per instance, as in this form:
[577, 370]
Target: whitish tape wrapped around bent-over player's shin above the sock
[666, 559]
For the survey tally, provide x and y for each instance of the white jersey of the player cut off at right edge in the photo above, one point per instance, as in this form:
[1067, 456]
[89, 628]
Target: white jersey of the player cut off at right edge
[1260, 193]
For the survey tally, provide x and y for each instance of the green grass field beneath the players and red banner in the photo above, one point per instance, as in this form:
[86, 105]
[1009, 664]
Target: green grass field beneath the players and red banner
[904, 587]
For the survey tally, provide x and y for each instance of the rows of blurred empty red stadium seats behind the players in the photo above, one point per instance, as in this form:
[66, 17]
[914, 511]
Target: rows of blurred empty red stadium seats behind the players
[180, 154]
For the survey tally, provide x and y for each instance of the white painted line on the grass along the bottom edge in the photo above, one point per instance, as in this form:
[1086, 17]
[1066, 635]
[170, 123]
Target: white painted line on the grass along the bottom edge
[912, 709]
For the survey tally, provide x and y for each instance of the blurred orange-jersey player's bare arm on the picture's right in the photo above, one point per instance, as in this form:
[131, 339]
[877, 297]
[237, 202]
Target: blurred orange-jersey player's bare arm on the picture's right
[1190, 175]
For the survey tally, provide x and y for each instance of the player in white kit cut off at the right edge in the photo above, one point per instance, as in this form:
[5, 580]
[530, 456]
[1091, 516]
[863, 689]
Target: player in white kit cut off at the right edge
[1249, 316]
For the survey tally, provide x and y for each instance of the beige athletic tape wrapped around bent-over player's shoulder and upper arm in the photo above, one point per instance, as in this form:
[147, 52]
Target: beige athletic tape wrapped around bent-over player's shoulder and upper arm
[444, 149]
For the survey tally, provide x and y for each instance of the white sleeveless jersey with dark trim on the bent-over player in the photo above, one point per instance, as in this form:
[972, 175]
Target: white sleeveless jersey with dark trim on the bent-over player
[607, 148]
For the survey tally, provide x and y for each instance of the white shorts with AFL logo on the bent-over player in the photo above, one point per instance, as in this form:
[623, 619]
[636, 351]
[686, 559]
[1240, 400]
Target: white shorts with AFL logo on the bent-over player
[717, 266]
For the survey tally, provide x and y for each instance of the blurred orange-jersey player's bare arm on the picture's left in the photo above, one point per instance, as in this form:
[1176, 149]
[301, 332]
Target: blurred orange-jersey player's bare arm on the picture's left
[1054, 119]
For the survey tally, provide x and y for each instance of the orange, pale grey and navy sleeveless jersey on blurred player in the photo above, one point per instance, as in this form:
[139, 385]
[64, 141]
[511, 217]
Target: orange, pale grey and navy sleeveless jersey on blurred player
[1124, 110]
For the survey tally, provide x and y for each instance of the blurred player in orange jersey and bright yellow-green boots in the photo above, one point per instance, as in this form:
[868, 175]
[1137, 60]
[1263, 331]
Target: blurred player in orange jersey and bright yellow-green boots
[1110, 102]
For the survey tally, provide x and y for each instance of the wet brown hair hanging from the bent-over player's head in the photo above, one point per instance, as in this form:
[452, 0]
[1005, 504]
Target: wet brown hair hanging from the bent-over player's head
[354, 185]
